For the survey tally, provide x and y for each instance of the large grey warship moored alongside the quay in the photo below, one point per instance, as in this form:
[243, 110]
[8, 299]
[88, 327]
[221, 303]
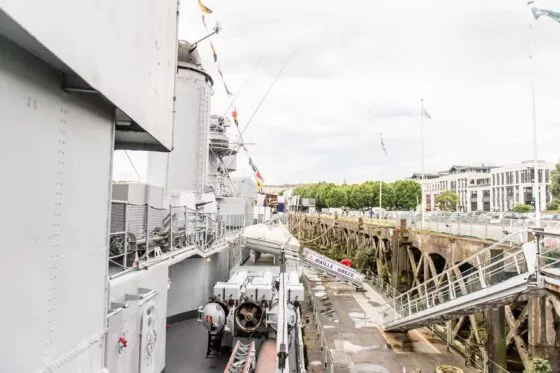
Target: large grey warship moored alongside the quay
[96, 271]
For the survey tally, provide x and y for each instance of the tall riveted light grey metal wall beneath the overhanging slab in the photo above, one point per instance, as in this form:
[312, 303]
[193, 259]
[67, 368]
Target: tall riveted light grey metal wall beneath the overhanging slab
[55, 161]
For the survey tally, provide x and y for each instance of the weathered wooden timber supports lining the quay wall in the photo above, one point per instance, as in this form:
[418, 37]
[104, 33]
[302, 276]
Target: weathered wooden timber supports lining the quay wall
[530, 327]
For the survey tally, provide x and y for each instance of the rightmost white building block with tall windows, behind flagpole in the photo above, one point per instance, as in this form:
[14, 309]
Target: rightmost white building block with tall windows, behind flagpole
[512, 185]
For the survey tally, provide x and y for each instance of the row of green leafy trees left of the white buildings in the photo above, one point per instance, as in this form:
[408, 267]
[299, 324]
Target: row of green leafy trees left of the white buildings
[400, 195]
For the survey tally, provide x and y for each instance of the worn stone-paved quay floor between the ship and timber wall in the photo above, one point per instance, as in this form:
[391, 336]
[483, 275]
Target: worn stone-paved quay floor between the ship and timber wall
[351, 324]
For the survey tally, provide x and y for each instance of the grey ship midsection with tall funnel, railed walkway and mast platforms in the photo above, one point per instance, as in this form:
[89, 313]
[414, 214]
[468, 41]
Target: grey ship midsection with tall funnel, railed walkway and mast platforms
[173, 238]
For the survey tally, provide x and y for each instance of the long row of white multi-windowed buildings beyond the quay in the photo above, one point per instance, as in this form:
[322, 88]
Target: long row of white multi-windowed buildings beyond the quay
[488, 188]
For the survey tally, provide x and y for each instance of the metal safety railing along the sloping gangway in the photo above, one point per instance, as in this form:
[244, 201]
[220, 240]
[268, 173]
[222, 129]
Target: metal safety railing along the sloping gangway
[478, 274]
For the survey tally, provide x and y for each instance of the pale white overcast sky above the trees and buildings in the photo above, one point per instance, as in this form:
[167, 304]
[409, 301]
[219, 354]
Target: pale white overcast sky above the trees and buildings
[361, 67]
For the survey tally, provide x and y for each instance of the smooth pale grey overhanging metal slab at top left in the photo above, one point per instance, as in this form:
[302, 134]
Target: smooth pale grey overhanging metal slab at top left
[125, 50]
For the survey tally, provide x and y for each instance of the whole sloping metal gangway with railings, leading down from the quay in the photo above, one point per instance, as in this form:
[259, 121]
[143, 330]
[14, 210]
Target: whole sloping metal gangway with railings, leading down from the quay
[496, 275]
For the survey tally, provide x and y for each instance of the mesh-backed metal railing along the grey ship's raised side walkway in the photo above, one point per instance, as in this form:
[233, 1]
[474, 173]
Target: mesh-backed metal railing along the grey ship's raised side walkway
[141, 233]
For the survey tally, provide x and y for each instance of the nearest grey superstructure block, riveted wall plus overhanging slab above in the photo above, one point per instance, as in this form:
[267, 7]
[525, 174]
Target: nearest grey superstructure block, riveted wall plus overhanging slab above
[77, 80]
